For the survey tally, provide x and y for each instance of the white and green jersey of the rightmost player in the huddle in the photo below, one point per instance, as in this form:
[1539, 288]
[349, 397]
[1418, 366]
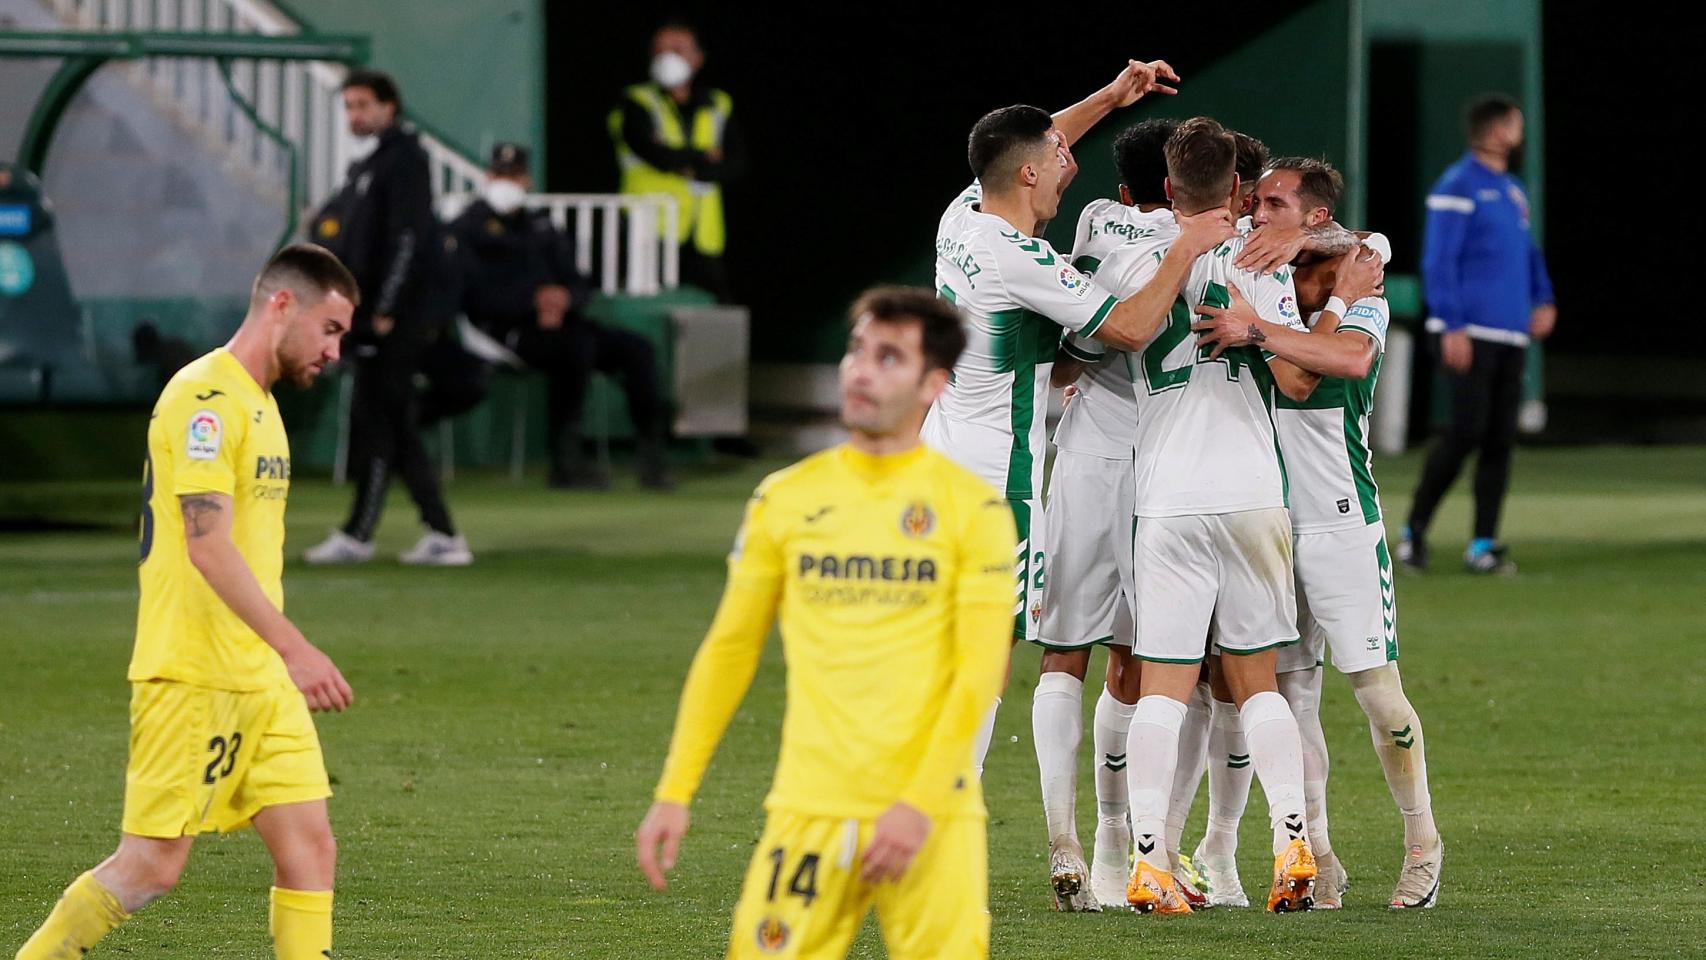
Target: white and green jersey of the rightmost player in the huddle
[1326, 439]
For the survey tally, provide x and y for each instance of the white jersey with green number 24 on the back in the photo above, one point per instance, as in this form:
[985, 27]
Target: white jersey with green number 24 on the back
[1205, 439]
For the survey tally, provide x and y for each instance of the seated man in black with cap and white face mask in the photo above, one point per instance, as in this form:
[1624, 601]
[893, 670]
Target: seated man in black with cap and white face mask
[519, 284]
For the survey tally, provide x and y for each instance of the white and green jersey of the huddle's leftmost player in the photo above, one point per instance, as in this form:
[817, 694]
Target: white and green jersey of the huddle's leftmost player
[1016, 294]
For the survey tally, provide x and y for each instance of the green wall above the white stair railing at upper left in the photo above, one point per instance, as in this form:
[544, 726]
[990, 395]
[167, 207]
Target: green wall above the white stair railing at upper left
[470, 72]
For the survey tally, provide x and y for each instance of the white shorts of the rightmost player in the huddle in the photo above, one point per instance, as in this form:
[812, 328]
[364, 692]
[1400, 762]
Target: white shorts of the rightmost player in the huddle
[1345, 598]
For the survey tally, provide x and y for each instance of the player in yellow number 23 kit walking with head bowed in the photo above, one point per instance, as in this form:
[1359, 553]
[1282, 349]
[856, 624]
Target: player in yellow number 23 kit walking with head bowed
[221, 681]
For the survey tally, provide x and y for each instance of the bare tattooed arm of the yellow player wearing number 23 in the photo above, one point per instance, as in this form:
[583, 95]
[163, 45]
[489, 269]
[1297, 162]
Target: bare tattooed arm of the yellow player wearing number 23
[207, 538]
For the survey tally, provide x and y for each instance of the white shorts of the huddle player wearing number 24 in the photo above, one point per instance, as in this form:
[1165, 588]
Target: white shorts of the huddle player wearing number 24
[1231, 572]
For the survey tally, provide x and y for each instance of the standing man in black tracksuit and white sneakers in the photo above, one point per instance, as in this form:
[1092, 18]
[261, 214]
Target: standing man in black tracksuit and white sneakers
[383, 228]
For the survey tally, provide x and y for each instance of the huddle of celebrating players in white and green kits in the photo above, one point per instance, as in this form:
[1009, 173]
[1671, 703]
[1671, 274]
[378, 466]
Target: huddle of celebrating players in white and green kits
[1212, 516]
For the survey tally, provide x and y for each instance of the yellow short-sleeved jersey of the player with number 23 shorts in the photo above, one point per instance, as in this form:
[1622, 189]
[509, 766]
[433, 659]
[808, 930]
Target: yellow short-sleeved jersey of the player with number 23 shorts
[214, 431]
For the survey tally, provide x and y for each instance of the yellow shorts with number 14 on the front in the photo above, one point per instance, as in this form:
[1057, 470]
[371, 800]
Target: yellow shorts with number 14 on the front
[803, 896]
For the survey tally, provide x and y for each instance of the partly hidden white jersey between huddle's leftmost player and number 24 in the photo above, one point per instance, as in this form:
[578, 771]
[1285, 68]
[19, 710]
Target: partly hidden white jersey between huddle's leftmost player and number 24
[1103, 420]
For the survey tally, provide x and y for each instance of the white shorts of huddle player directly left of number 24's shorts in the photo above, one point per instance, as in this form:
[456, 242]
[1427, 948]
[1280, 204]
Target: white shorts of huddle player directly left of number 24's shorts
[1088, 596]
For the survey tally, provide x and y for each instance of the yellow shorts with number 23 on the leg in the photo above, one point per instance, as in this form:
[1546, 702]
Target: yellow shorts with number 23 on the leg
[204, 760]
